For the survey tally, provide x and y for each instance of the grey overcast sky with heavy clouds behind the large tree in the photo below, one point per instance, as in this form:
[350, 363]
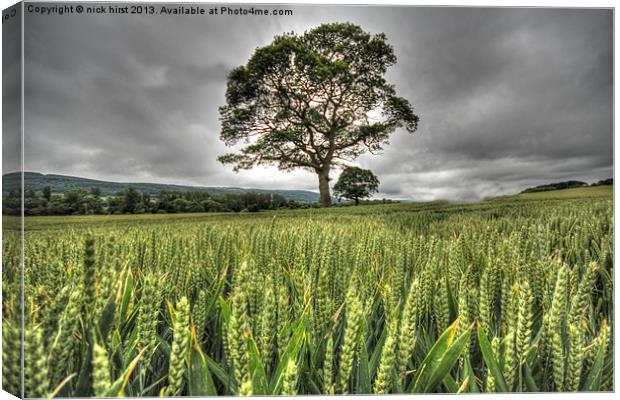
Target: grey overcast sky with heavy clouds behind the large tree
[508, 98]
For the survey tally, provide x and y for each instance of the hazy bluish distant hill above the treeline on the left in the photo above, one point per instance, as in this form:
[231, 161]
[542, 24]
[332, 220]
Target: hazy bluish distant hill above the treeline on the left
[62, 183]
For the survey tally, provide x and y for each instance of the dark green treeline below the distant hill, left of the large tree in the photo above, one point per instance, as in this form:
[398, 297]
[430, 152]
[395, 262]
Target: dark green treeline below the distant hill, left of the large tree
[131, 201]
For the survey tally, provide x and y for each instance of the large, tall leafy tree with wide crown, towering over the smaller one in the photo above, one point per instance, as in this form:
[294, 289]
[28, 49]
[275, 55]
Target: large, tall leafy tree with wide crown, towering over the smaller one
[313, 101]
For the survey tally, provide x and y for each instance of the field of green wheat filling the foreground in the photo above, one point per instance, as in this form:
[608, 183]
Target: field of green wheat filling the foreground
[510, 294]
